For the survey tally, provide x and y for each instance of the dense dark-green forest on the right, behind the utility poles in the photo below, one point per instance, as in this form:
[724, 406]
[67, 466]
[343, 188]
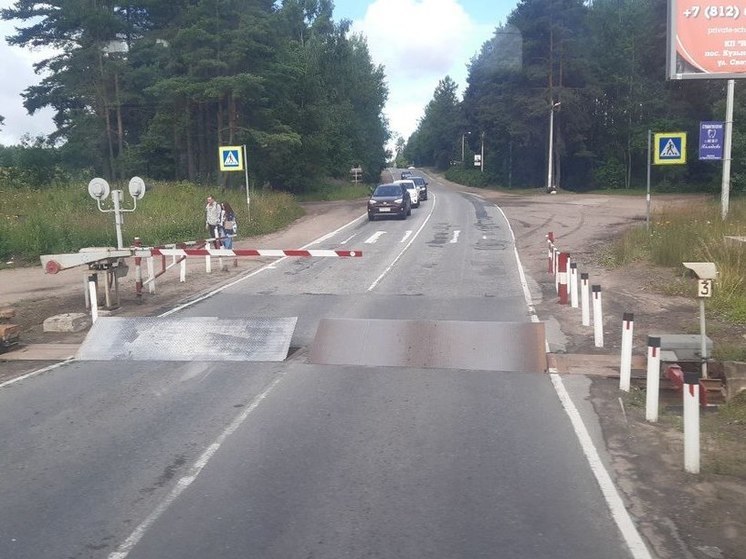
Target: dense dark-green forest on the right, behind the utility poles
[601, 66]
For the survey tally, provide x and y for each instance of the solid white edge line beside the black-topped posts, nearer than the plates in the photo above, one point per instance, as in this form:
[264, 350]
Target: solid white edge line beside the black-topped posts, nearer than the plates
[614, 501]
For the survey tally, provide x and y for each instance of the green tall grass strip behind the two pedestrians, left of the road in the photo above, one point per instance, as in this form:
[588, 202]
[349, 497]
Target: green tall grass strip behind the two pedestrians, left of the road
[34, 222]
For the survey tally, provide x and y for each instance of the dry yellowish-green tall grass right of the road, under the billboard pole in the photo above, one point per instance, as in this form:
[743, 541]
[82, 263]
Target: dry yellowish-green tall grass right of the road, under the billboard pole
[690, 234]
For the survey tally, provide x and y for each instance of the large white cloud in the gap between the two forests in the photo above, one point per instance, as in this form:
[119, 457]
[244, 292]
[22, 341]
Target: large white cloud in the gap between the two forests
[419, 42]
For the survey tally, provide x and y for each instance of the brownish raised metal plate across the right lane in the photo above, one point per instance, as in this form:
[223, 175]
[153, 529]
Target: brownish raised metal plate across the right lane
[488, 346]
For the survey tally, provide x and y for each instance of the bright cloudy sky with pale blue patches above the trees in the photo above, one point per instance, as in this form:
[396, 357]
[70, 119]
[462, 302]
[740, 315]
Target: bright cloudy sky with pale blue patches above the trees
[418, 42]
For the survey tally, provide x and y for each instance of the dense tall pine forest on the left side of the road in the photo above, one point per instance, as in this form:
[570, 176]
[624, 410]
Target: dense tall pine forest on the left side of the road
[153, 88]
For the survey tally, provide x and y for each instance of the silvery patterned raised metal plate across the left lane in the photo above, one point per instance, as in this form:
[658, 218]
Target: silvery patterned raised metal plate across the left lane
[188, 339]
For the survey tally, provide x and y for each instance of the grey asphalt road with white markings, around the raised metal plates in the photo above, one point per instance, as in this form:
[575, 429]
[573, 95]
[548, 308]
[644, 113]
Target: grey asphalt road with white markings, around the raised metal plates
[160, 459]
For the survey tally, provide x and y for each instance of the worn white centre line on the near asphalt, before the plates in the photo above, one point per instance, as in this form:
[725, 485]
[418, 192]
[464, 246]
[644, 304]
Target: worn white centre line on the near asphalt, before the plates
[138, 533]
